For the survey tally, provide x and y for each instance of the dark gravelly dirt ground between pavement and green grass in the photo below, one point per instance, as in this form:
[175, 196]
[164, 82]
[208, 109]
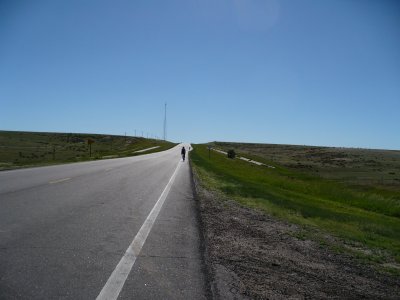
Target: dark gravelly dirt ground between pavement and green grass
[251, 255]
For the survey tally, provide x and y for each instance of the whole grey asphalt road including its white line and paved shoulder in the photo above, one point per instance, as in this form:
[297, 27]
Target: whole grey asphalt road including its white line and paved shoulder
[120, 228]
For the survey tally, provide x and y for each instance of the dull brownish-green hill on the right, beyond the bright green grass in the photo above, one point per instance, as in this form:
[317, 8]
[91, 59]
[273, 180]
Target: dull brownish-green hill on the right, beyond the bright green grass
[354, 166]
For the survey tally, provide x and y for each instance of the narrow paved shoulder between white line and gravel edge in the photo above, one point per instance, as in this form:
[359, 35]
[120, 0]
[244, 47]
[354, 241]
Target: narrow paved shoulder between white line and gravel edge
[170, 265]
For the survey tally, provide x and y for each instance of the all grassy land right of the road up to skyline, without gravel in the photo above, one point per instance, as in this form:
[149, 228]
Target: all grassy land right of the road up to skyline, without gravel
[348, 199]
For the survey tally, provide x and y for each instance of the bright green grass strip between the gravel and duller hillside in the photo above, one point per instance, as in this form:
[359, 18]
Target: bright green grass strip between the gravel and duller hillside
[363, 218]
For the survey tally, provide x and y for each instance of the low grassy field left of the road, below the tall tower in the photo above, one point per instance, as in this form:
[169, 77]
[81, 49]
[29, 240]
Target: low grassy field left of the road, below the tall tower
[21, 149]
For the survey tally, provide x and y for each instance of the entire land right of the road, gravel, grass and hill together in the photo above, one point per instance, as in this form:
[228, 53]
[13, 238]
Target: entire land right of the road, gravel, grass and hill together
[308, 222]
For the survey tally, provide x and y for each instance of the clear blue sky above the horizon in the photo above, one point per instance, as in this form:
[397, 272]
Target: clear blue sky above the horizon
[307, 72]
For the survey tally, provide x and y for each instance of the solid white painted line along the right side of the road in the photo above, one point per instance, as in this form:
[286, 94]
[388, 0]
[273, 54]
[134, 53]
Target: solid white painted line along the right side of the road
[114, 284]
